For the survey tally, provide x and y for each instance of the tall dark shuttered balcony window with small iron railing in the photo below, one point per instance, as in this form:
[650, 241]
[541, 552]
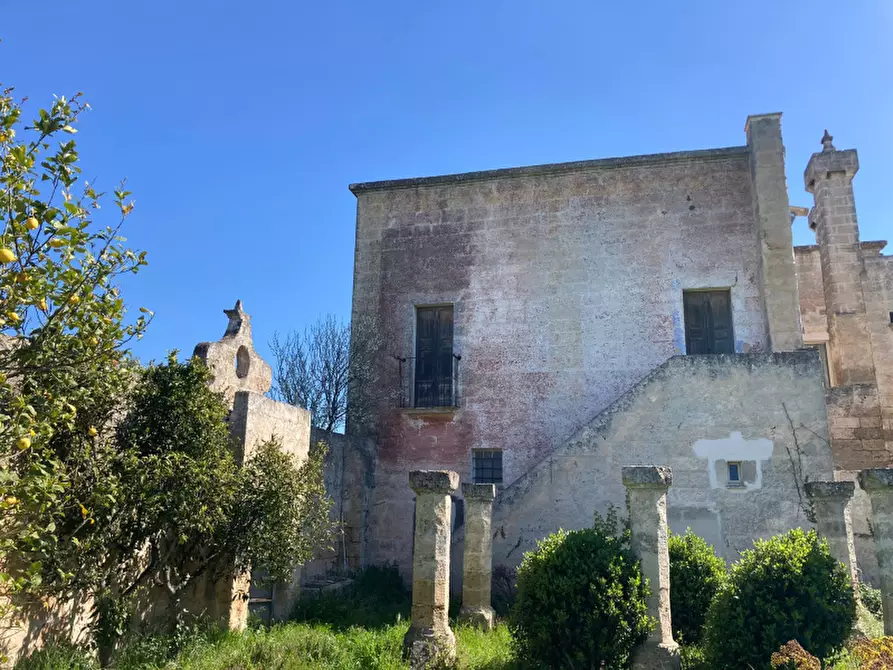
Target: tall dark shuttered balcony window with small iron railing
[434, 357]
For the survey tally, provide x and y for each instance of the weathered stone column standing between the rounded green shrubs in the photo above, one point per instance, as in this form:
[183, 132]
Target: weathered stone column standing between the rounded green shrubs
[646, 488]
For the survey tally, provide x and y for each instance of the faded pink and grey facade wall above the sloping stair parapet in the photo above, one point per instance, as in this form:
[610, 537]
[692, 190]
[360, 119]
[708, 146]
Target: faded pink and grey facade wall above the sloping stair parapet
[567, 288]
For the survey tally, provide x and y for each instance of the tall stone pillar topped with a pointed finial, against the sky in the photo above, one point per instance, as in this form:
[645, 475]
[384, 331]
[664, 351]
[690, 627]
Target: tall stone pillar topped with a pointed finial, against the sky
[829, 177]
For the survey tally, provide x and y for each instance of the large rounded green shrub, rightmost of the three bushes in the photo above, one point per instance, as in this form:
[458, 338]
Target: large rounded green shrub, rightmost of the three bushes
[785, 588]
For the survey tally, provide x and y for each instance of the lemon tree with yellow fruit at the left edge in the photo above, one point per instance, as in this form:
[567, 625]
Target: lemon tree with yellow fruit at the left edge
[64, 335]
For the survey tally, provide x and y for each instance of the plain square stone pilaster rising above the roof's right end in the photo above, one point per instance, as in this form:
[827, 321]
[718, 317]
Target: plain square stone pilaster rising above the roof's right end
[778, 279]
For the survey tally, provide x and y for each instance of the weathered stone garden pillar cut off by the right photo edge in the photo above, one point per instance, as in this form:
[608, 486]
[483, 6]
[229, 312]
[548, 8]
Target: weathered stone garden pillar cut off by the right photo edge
[878, 484]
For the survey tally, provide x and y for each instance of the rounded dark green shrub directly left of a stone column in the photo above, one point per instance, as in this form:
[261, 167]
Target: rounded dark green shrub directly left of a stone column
[581, 600]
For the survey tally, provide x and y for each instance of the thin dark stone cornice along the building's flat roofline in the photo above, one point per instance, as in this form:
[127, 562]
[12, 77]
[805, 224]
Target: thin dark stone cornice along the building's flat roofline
[552, 168]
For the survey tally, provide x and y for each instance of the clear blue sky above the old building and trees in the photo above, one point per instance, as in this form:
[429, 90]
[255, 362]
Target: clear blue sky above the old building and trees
[240, 125]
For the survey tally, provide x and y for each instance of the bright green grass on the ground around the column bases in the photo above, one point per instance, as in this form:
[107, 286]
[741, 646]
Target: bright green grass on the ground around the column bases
[358, 630]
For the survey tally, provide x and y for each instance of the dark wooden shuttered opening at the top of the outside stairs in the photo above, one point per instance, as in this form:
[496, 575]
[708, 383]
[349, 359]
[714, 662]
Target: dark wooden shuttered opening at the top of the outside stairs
[708, 322]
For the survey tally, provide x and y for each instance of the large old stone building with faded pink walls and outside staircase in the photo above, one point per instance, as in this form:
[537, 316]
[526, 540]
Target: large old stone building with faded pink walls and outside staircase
[543, 326]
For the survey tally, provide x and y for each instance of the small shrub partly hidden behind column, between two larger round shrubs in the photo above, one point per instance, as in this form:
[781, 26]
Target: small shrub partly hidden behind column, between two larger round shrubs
[696, 574]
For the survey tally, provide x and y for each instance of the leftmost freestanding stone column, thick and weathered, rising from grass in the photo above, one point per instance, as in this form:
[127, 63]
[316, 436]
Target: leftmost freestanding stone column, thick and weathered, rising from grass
[429, 638]
